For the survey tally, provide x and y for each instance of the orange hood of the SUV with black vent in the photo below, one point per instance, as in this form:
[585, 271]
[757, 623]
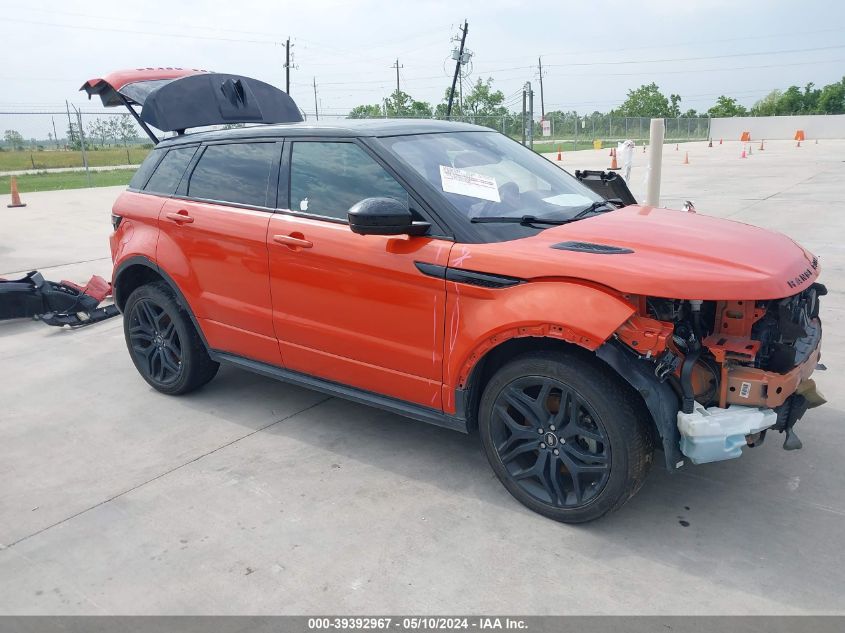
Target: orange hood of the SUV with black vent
[676, 255]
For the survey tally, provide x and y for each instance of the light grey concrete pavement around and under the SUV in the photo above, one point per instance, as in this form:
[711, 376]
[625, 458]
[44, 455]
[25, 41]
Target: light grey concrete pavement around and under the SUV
[256, 497]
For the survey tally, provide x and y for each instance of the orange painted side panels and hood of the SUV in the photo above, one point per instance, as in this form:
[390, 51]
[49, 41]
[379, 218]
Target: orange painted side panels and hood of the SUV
[355, 310]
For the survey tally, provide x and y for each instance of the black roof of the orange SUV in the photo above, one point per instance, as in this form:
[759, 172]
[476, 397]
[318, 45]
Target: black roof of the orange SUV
[341, 128]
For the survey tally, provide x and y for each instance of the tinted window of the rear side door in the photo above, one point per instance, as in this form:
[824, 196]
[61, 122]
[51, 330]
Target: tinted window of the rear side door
[238, 172]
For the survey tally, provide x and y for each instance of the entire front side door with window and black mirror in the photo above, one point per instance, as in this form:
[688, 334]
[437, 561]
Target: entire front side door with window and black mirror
[350, 308]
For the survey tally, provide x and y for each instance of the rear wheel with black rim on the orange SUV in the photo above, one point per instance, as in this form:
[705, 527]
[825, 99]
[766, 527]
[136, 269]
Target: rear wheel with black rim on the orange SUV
[163, 342]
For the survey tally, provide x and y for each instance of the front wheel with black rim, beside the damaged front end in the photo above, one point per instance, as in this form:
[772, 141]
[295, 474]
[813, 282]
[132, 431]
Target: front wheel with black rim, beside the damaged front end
[564, 436]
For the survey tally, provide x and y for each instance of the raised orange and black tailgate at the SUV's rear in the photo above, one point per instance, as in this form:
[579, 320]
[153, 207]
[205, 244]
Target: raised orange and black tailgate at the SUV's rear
[175, 99]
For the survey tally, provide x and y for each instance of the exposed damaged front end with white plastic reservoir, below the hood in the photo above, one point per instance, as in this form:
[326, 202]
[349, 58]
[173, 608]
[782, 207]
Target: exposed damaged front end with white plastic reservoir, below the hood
[737, 369]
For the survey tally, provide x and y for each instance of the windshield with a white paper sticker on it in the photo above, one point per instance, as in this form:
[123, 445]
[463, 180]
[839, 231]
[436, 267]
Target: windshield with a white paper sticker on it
[486, 174]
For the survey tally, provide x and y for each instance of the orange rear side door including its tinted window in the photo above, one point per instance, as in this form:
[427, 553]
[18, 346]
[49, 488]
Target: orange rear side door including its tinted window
[213, 244]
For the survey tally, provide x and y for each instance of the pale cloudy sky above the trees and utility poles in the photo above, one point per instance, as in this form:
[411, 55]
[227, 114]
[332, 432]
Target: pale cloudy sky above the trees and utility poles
[593, 52]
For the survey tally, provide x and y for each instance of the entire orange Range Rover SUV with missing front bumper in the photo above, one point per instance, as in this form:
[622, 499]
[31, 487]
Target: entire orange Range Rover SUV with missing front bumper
[446, 273]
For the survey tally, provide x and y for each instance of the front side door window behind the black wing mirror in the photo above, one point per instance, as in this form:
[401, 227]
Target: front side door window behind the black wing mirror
[328, 178]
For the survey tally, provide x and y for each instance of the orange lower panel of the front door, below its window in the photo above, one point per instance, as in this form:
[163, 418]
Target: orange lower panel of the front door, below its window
[355, 309]
